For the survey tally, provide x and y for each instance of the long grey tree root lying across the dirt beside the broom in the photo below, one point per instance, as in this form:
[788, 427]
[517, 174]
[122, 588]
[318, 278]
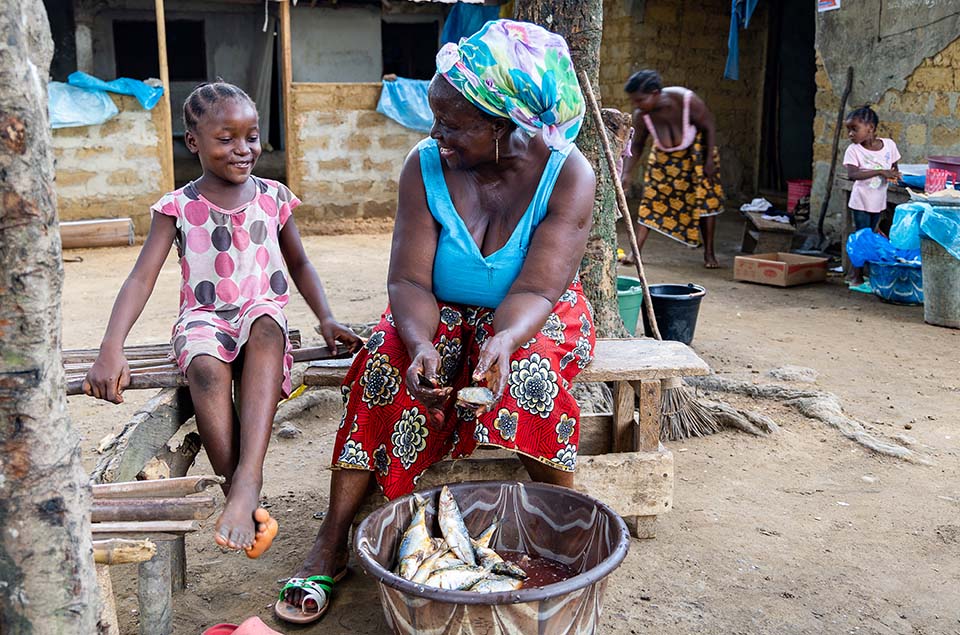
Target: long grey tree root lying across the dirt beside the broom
[815, 404]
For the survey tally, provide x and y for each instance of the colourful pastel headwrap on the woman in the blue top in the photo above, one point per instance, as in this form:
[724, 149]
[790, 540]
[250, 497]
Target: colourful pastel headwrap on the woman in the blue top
[520, 71]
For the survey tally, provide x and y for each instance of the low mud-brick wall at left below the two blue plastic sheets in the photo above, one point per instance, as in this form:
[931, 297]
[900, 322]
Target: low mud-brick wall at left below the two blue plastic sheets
[114, 169]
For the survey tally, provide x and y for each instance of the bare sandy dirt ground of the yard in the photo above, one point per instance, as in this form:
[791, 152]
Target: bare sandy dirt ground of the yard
[800, 532]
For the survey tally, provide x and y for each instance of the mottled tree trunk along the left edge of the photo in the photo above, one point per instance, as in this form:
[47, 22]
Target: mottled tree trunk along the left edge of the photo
[46, 557]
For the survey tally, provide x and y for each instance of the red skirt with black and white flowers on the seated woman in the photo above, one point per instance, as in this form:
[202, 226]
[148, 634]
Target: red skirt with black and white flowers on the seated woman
[385, 430]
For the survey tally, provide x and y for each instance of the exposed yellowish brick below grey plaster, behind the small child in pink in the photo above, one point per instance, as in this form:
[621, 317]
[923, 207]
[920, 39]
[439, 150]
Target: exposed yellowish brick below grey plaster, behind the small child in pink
[921, 119]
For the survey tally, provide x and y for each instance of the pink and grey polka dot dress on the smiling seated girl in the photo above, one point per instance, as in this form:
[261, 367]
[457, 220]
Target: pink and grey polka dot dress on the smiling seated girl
[232, 271]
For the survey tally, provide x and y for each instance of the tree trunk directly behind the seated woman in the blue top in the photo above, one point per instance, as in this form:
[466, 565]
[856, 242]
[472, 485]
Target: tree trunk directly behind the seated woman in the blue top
[580, 22]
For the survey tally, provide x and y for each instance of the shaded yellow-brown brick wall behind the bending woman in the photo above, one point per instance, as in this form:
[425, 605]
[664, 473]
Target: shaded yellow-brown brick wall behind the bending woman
[686, 41]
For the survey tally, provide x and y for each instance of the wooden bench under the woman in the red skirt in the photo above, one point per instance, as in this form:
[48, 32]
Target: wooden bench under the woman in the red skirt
[621, 460]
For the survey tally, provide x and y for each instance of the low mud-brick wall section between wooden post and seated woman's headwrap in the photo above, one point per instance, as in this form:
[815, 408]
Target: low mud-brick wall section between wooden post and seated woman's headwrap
[345, 157]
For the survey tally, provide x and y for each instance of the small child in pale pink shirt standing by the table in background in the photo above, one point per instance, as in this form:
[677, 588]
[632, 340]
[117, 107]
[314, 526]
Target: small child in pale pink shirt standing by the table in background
[870, 161]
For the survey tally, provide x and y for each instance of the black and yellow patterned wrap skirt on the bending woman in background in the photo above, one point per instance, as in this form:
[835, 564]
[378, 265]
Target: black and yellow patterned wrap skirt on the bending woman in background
[677, 194]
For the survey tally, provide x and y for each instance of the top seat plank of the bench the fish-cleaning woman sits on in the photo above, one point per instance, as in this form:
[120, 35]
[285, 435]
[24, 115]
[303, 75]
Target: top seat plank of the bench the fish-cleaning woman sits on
[614, 360]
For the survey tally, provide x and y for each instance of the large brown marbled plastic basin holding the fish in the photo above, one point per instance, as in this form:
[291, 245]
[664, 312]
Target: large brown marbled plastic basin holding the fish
[539, 519]
